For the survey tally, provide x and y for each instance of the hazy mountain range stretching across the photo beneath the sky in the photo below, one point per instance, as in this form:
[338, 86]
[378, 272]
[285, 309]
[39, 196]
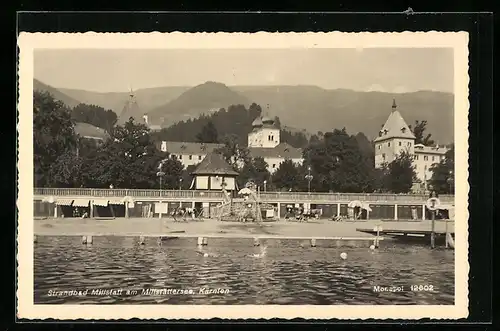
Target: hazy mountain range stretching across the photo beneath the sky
[308, 107]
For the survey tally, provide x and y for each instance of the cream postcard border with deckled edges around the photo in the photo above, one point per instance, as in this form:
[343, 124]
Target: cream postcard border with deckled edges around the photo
[28, 42]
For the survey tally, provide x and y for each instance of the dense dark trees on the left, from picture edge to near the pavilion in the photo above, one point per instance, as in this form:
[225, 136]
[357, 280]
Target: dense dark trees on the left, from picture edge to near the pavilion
[129, 159]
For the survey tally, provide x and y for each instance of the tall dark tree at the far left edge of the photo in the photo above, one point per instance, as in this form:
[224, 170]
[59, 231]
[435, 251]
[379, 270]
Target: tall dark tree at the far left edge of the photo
[53, 134]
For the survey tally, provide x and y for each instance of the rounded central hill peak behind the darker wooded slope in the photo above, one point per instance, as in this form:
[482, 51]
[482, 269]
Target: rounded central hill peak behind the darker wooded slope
[206, 98]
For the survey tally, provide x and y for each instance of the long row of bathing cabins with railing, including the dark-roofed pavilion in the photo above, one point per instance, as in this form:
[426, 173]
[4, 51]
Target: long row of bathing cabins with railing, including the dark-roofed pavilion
[212, 174]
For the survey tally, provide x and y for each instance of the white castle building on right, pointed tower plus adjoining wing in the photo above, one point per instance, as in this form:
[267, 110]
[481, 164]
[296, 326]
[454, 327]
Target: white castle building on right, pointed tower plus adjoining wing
[396, 137]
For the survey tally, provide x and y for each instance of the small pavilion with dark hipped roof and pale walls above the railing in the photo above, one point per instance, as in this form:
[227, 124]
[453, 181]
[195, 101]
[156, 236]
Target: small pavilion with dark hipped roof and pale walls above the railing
[214, 173]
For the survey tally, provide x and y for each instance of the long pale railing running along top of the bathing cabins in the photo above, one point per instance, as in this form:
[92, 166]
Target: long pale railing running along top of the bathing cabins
[218, 195]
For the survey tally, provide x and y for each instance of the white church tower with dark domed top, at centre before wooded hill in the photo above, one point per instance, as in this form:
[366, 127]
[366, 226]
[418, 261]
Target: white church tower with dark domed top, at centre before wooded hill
[264, 133]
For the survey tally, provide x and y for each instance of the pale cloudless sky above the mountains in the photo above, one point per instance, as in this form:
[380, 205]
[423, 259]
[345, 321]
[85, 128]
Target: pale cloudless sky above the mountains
[369, 69]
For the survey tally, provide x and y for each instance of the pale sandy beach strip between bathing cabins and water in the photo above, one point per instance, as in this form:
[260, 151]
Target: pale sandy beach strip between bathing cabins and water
[210, 227]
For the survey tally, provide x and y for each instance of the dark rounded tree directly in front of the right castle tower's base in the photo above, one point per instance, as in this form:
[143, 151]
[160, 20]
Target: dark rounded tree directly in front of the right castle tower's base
[400, 174]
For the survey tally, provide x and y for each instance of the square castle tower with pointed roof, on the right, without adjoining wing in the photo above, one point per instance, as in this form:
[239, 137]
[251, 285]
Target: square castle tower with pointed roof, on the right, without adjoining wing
[394, 138]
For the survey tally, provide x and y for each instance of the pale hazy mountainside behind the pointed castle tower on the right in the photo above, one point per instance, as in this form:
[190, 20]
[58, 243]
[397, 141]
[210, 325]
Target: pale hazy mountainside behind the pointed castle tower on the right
[316, 109]
